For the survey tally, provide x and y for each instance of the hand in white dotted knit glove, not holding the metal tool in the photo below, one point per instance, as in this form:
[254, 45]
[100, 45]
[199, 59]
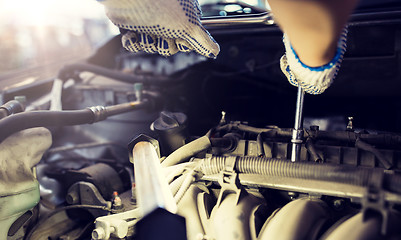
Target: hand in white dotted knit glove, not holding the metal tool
[161, 26]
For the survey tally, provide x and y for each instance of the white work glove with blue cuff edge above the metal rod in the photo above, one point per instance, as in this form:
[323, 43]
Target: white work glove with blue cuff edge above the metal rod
[313, 80]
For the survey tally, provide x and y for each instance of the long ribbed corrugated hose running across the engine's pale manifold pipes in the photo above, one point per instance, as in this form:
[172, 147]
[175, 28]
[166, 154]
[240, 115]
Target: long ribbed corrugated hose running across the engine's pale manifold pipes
[302, 170]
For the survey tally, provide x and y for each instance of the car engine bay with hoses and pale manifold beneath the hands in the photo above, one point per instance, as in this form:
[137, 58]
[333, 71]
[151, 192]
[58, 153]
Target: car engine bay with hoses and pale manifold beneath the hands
[139, 146]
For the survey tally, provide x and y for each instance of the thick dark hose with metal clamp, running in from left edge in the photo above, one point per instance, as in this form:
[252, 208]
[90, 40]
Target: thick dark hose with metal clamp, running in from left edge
[25, 120]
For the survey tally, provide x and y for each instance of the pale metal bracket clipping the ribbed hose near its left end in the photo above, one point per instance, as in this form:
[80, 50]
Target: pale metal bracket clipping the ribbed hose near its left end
[229, 181]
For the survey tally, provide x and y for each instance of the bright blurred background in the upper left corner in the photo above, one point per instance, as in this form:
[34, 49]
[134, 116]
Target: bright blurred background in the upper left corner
[42, 35]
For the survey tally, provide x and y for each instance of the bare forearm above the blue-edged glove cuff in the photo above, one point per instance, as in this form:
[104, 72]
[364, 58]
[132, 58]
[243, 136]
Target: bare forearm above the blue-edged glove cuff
[313, 26]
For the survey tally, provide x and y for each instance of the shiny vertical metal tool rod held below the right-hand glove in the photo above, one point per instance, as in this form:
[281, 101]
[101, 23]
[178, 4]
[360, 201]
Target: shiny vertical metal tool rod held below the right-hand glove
[298, 133]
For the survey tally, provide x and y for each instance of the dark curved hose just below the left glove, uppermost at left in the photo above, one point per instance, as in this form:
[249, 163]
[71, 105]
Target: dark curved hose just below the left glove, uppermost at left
[69, 71]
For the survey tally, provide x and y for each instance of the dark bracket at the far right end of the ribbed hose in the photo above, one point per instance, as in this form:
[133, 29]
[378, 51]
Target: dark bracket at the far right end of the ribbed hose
[374, 200]
